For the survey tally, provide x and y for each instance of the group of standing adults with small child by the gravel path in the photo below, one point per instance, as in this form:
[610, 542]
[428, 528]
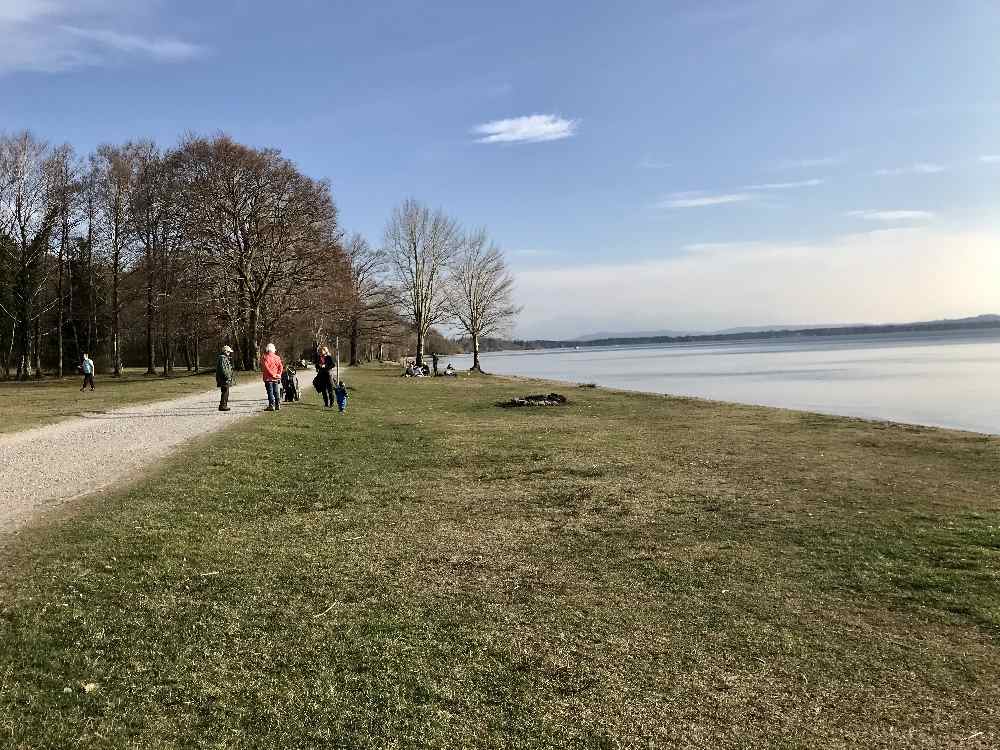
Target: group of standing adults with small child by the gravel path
[282, 382]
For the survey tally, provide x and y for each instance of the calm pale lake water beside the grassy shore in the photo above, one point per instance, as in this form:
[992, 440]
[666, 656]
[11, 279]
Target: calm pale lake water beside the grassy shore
[945, 380]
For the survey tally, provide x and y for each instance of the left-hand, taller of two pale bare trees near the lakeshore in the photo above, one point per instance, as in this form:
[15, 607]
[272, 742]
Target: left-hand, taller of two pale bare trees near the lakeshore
[419, 246]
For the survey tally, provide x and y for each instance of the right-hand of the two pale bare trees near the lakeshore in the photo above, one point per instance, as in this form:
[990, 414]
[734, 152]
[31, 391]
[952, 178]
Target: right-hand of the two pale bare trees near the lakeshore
[480, 291]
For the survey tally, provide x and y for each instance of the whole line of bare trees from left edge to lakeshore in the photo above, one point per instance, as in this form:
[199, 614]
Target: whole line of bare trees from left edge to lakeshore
[160, 255]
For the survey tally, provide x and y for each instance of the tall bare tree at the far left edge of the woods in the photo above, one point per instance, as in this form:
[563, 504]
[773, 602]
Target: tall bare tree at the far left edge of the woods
[28, 215]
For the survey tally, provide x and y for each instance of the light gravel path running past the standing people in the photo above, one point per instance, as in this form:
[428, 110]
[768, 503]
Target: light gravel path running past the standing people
[47, 466]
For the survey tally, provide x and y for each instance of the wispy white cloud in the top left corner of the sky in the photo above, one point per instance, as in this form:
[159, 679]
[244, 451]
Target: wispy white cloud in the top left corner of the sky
[62, 35]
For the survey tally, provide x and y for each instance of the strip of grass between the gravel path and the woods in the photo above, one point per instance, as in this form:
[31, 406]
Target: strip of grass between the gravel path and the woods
[26, 405]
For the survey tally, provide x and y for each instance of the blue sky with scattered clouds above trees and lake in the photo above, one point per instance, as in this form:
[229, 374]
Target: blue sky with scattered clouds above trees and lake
[645, 165]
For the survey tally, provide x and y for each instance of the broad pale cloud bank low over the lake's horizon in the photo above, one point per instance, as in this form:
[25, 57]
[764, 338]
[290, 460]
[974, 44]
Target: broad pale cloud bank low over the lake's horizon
[760, 283]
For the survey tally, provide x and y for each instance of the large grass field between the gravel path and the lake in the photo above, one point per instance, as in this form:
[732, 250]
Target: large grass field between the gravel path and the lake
[431, 571]
